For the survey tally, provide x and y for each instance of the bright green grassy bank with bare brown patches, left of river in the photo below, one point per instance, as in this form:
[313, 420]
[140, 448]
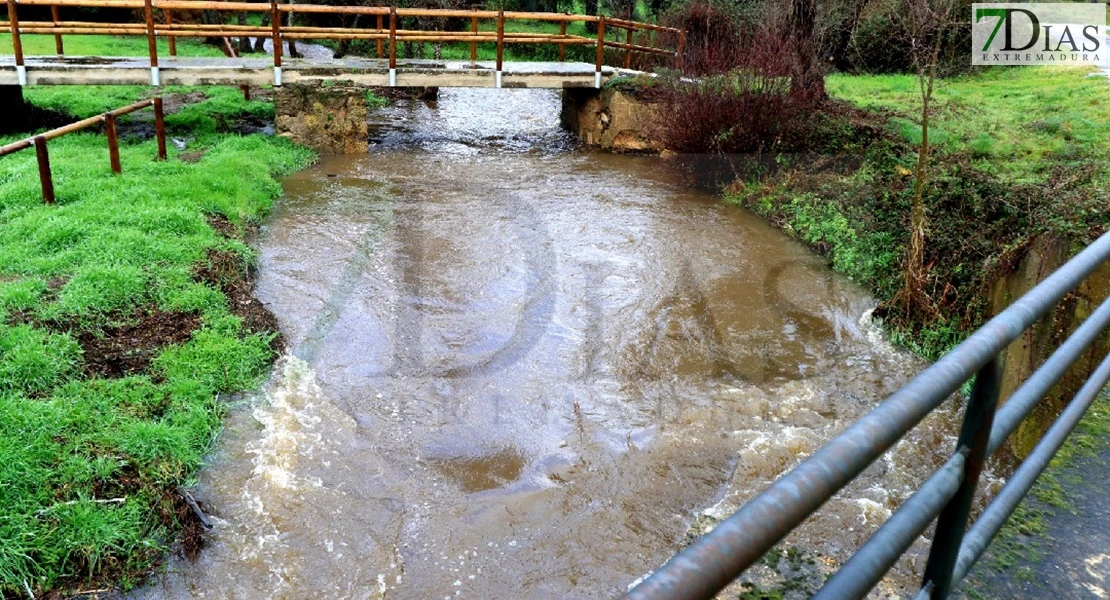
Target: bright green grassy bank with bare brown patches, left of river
[125, 316]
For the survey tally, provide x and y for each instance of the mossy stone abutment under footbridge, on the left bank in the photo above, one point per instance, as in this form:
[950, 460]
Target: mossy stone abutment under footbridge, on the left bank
[329, 117]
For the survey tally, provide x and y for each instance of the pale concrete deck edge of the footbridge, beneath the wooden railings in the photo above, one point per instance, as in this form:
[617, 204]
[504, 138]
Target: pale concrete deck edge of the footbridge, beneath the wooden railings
[260, 72]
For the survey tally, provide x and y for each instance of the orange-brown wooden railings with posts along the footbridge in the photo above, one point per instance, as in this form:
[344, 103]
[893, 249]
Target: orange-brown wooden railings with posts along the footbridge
[660, 40]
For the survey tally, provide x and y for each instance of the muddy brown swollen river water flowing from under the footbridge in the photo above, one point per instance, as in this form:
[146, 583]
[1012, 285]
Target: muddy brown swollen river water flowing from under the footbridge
[522, 370]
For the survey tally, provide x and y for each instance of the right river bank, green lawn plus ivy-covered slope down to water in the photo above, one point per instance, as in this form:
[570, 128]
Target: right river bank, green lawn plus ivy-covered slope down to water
[1018, 152]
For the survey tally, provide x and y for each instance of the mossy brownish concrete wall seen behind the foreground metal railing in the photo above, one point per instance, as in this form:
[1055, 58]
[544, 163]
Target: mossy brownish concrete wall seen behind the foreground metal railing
[1025, 355]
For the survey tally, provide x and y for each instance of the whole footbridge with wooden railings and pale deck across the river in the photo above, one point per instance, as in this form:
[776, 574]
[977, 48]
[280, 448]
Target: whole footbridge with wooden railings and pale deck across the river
[618, 42]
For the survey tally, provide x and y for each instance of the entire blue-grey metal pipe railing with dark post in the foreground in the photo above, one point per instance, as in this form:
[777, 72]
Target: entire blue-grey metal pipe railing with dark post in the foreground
[717, 560]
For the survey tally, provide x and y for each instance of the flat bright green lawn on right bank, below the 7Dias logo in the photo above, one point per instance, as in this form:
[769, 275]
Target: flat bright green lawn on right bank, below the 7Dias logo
[1017, 124]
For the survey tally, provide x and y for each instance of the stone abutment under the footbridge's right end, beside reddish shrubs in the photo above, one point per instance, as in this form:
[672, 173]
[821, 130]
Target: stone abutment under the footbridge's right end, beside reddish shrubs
[611, 119]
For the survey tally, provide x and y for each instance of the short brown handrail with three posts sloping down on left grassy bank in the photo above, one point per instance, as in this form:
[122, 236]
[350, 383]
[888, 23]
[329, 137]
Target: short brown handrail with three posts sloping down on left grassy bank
[39, 143]
